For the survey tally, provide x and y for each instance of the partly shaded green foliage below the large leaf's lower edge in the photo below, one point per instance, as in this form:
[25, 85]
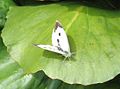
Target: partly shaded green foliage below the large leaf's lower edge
[12, 77]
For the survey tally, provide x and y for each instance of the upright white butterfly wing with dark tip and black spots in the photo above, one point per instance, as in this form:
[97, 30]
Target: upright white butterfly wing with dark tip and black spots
[59, 37]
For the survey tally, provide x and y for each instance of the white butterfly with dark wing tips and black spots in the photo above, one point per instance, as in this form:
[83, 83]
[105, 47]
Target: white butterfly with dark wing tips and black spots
[59, 42]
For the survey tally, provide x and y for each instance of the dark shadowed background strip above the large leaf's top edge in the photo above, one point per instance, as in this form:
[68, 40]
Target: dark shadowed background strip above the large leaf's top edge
[105, 4]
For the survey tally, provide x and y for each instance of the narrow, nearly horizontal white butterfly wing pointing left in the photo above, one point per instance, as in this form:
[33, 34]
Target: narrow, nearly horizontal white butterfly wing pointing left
[51, 48]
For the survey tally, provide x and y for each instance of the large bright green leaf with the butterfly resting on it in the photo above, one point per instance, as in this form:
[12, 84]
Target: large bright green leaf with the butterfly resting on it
[94, 35]
